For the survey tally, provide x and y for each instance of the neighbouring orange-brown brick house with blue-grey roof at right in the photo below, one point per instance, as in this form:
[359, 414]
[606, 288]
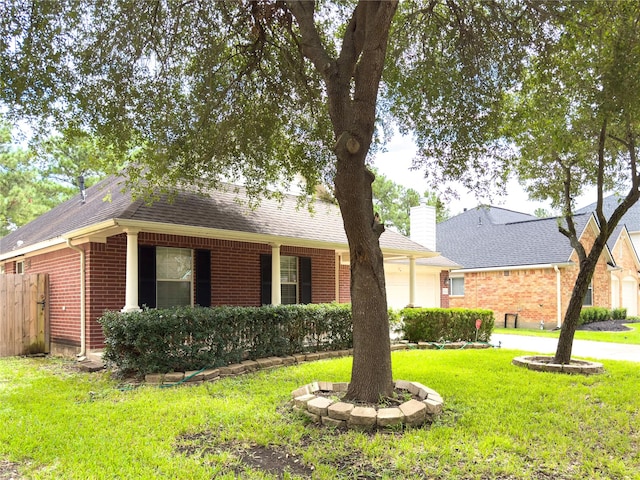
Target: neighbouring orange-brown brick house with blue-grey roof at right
[514, 263]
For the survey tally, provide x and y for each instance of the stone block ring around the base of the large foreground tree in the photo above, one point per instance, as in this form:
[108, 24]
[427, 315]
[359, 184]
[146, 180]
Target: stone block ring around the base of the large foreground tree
[320, 401]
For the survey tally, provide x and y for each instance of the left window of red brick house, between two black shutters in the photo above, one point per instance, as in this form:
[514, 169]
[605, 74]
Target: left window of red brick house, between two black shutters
[174, 267]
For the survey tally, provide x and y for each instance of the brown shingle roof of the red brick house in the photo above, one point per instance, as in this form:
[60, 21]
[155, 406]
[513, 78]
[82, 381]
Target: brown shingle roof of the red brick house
[221, 210]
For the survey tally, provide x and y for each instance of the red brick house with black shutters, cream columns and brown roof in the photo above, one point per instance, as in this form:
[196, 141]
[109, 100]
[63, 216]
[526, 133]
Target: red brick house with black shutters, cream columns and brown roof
[110, 252]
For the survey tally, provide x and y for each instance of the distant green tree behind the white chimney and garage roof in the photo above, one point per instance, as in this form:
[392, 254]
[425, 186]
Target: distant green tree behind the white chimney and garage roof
[393, 203]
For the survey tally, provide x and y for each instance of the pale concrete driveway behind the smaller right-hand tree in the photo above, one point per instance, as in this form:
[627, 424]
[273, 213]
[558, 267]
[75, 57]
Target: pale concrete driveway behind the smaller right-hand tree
[581, 348]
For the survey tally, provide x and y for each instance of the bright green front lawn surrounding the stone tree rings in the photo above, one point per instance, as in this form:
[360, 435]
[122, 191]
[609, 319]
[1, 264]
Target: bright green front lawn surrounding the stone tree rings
[500, 422]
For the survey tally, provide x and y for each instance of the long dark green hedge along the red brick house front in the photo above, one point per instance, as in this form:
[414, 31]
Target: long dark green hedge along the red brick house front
[190, 338]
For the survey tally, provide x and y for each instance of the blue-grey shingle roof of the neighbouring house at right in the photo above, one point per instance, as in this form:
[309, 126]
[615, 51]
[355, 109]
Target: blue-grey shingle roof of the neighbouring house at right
[475, 241]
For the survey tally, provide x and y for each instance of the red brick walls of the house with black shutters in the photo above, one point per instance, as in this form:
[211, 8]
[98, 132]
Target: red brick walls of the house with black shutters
[235, 279]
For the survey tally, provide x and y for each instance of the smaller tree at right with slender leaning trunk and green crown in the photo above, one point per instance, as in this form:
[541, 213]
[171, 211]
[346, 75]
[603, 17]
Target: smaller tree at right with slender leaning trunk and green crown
[577, 124]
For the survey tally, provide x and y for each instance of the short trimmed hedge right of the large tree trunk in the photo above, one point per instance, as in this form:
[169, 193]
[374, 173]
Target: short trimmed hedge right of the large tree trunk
[446, 324]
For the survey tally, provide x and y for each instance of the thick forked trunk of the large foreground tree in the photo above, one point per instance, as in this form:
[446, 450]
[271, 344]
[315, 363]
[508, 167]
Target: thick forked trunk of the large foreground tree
[352, 81]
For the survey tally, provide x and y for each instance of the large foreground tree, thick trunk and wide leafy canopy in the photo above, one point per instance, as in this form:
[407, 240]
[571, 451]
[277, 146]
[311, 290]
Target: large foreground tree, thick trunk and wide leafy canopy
[257, 91]
